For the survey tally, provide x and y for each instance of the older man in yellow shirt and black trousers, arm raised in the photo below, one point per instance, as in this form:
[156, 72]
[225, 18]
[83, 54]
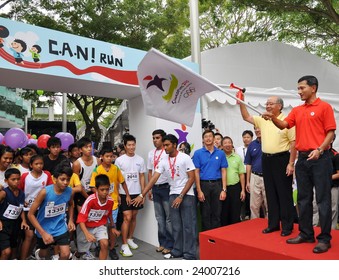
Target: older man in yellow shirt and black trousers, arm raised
[278, 147]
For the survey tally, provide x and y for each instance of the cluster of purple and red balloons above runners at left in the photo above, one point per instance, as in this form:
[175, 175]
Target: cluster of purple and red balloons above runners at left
[16, 138]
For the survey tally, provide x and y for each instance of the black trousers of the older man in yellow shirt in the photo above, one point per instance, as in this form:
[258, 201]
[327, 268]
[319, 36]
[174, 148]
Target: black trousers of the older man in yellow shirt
[278, 187]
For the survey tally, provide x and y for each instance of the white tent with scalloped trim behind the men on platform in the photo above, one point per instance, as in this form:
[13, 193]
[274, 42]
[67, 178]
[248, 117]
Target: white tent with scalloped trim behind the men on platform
[264, 69]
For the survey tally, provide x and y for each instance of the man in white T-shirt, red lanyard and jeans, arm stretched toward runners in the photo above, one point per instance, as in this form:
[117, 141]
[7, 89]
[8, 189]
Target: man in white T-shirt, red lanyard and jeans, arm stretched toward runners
[179, 168]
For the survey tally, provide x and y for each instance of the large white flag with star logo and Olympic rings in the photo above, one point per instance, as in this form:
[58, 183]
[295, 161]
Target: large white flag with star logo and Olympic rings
[169, 89]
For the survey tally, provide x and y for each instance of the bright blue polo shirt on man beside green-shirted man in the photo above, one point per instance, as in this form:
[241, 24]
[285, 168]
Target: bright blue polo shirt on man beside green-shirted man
[210, 164]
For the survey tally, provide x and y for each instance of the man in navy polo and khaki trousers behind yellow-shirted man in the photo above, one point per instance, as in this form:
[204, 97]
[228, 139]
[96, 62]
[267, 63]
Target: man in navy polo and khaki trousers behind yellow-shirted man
[255, 181]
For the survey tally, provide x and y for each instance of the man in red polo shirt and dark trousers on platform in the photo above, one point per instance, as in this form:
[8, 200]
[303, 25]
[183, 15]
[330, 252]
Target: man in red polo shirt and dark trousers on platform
[315, 125]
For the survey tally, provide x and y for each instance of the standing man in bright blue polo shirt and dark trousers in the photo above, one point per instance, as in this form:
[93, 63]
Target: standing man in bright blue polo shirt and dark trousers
[210, 180]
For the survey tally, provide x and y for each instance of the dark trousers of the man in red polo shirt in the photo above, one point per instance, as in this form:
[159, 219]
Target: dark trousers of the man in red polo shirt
[318, 174]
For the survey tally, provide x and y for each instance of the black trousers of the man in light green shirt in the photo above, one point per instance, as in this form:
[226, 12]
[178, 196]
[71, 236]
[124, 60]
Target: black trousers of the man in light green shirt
[231, 206]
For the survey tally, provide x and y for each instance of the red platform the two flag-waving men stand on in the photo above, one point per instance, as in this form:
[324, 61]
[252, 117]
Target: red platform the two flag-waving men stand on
[245, 241]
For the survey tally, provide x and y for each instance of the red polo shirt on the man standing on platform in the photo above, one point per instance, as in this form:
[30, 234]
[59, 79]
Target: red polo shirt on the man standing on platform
[312, 122]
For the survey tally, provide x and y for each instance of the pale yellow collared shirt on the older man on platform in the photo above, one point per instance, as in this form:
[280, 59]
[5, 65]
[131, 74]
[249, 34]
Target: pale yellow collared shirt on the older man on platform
[273, 139]
